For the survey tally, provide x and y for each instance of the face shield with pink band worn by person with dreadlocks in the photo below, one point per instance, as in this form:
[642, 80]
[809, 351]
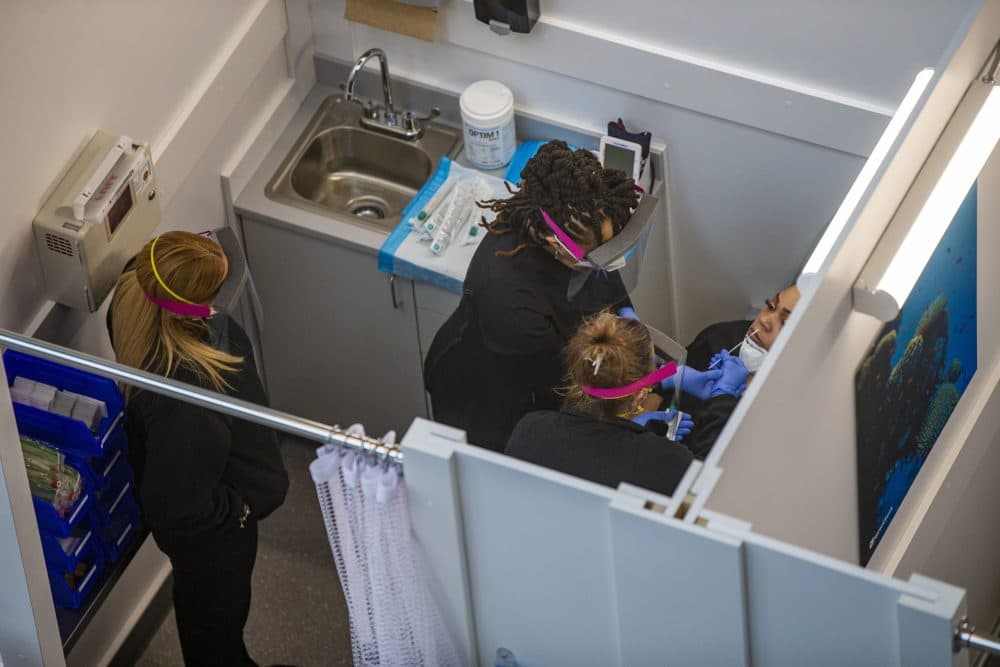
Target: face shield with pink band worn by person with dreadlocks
[623, 253]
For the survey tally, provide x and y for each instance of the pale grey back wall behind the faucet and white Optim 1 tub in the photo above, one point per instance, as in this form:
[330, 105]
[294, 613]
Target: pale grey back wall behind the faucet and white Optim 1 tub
[764, 108]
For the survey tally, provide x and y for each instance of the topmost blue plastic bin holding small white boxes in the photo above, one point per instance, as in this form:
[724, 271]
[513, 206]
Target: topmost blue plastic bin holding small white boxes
[66, 434]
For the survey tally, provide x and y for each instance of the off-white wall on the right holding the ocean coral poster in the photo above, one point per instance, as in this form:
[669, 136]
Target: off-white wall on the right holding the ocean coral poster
[788, 455]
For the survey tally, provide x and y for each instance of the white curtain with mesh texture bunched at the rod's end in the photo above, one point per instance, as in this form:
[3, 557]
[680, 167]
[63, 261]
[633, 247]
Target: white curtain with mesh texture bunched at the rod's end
[394, 620]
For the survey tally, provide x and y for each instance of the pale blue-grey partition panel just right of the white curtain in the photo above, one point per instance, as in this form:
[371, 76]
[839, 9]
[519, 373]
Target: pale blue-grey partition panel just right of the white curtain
[539, 564]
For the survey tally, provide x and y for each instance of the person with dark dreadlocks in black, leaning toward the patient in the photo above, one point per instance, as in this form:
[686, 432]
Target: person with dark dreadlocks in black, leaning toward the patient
[498, 355]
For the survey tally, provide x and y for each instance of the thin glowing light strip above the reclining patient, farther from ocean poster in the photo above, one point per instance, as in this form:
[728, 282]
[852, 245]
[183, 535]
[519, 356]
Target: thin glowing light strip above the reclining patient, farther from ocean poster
[840, 219]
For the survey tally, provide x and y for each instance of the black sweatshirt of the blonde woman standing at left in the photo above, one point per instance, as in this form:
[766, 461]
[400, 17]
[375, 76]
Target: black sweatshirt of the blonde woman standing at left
[195, 467]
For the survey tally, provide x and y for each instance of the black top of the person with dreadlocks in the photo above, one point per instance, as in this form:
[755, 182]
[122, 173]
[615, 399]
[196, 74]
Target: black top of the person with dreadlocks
[499, 355]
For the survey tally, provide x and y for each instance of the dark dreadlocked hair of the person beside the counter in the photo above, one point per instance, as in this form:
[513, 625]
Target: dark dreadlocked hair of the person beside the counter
[573, 188]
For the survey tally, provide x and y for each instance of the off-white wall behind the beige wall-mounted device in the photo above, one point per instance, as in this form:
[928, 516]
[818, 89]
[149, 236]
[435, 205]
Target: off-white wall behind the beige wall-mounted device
[191, 78]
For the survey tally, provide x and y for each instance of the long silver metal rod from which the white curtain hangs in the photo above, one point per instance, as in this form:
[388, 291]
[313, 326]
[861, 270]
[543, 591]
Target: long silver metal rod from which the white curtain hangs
[280, 421]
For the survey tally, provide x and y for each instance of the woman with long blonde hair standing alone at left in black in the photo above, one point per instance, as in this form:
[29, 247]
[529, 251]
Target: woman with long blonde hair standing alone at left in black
[204, 479]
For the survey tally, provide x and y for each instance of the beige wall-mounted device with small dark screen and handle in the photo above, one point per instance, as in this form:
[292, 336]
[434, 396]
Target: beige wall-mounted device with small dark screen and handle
[98, 217]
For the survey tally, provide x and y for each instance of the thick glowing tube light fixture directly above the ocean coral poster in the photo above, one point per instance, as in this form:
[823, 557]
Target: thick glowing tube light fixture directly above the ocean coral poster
[935, 215]
